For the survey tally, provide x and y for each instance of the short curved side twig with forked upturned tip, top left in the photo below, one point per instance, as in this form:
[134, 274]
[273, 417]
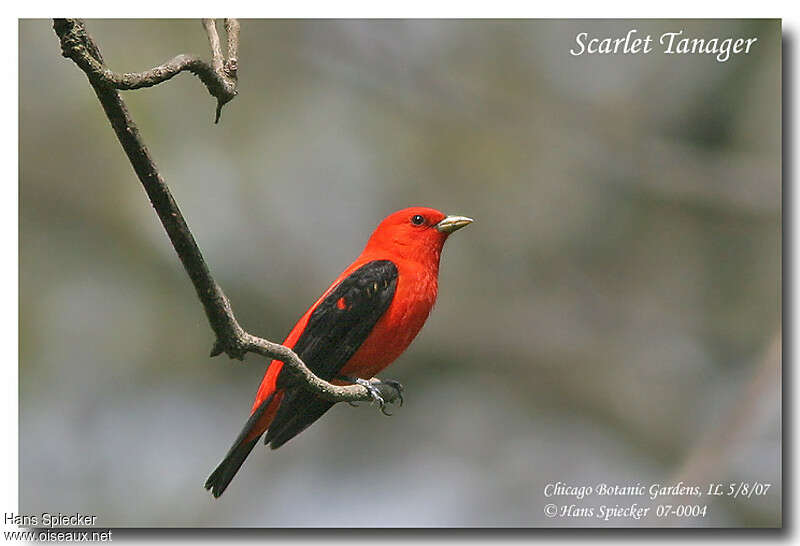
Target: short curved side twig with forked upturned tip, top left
[221, 84]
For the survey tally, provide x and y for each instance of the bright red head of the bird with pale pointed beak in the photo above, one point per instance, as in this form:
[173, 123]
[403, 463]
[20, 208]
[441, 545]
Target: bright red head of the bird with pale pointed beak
[416, 233]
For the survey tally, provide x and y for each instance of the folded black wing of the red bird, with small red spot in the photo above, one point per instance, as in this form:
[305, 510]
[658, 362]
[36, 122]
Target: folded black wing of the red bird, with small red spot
[335, 331]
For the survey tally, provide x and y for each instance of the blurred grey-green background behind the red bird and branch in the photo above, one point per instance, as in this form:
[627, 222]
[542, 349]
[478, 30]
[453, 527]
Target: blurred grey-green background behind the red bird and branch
[613, 315]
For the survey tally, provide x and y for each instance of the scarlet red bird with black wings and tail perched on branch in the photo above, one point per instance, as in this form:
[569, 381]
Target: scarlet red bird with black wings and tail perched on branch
[360, 325]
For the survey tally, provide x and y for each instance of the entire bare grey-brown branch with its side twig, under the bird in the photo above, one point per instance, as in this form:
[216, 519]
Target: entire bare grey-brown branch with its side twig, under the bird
[220, 77]
